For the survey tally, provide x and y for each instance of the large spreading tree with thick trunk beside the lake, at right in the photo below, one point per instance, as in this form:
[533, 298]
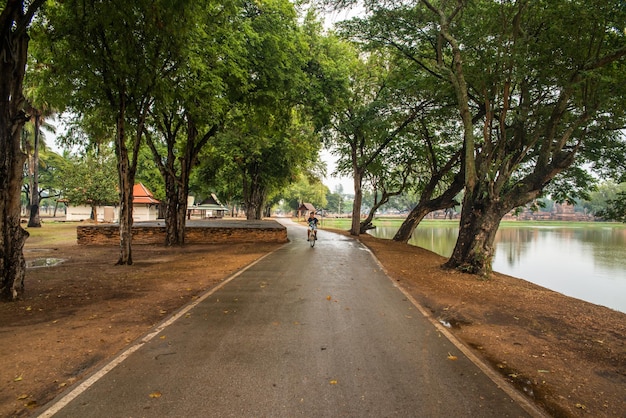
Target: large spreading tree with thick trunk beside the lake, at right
[533, 104]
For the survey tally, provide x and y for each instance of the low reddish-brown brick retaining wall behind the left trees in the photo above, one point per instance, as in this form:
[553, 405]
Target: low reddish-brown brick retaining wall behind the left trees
[209, 232]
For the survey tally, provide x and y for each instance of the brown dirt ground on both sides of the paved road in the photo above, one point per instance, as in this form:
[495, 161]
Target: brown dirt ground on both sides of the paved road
[566, 355]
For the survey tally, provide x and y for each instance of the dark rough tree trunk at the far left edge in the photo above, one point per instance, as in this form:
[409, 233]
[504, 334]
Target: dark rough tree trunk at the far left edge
[15, 19]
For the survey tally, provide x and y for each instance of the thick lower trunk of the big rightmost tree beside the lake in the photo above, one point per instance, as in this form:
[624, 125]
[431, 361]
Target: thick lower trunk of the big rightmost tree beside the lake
[480, 219]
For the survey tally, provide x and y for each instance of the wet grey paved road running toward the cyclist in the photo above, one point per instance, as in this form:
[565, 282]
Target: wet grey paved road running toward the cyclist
[313, 332]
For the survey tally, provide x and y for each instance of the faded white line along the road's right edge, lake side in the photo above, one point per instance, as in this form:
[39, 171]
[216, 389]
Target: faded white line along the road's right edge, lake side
[524, 403]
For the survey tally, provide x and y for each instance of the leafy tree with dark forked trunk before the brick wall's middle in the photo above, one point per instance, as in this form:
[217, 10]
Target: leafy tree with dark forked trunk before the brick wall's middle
[195, 100]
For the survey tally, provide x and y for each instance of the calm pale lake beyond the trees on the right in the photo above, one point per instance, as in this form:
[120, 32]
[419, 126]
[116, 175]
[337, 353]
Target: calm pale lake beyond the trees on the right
[585, 262]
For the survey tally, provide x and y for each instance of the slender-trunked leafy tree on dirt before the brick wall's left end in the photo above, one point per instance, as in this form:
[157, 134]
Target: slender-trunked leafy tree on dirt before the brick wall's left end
[119, 52]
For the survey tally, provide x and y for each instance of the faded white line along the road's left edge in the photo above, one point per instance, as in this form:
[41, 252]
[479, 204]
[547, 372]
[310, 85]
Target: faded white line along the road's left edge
[66, 399]
